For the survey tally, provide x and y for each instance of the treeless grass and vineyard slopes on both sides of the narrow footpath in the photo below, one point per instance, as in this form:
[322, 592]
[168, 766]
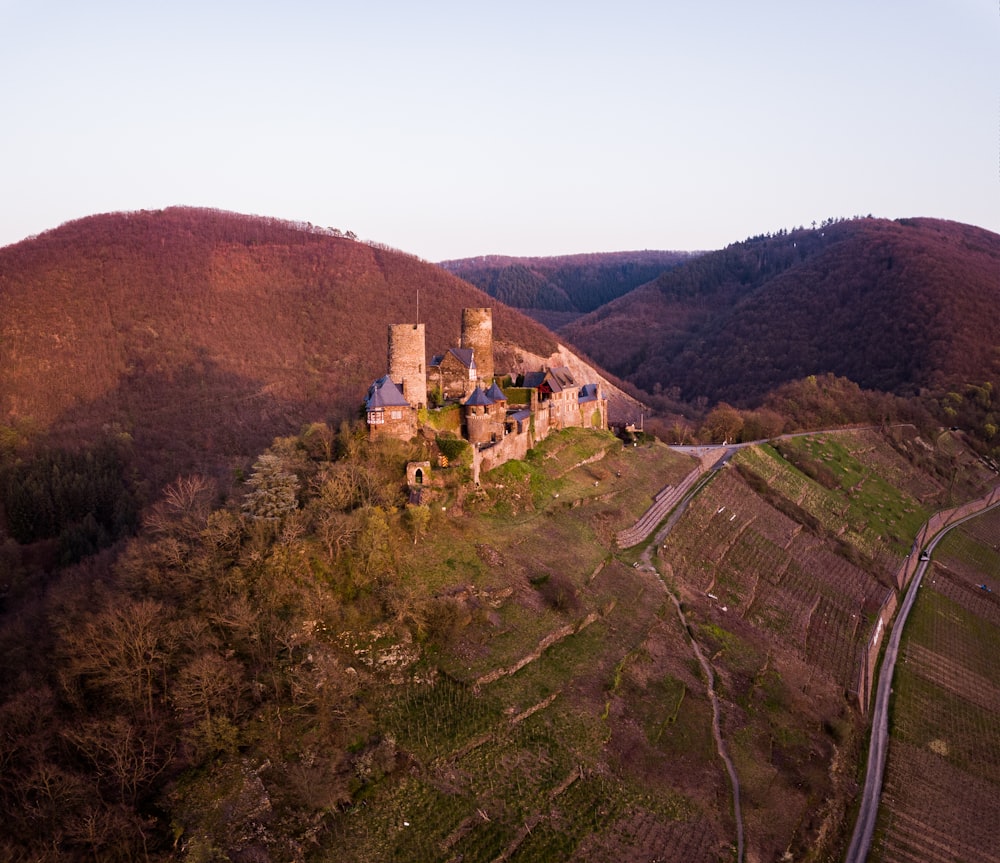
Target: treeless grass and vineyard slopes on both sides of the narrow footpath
[619, 703]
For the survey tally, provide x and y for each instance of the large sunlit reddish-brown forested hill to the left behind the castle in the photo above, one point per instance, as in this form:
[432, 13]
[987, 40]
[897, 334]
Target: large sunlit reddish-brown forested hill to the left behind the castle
[200, 335]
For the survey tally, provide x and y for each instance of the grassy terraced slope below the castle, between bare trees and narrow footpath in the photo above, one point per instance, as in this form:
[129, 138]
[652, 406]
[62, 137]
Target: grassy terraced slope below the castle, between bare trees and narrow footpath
[566, 723]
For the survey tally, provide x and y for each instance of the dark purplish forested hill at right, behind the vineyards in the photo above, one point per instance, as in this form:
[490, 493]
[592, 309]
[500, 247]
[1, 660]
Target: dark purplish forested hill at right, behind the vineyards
[893, 305]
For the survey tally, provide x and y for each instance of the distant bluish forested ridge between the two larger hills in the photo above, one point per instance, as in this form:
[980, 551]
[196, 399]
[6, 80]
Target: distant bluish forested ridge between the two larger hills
[568, 283]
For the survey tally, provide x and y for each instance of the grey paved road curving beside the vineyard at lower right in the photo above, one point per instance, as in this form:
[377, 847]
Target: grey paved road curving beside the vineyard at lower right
[864, 828]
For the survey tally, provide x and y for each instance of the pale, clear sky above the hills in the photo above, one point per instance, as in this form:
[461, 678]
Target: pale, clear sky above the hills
[527, 127]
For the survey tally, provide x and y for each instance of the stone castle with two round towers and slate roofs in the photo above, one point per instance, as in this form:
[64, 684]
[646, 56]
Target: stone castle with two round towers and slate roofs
[500, 423]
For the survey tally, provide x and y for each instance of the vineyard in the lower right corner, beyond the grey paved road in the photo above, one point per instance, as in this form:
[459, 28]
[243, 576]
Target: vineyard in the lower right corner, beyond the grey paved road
[941, 799]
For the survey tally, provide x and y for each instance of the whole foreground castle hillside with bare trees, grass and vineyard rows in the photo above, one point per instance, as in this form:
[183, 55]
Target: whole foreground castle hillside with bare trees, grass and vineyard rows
[482, 676]
